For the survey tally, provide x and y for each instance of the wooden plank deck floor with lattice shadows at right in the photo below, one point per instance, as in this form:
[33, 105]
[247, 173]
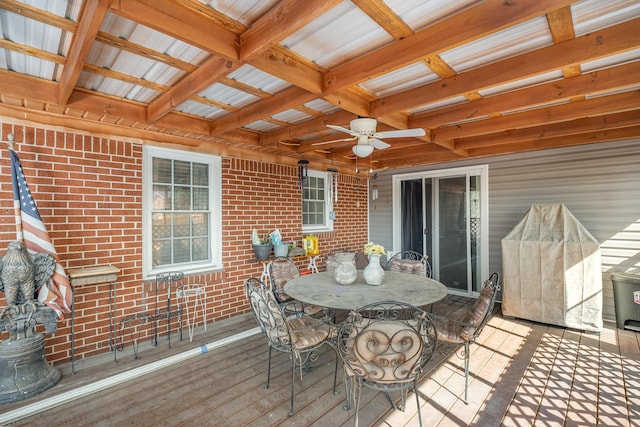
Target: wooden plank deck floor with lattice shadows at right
[522, 374]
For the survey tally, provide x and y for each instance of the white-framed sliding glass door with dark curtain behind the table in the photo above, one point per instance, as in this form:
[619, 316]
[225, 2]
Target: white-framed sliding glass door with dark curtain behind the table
[443, 214]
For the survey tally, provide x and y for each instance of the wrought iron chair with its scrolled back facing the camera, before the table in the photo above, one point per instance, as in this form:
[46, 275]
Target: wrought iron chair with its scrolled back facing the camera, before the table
[384, 346]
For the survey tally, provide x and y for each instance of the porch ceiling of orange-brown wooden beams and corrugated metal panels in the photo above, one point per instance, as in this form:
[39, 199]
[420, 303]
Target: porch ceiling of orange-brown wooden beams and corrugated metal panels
[261, 79]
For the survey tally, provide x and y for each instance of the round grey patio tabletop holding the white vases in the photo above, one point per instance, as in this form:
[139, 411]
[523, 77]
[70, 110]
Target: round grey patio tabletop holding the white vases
[322, 289]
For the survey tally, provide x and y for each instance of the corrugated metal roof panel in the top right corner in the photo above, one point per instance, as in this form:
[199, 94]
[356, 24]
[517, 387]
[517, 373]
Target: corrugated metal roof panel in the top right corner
[592, 15]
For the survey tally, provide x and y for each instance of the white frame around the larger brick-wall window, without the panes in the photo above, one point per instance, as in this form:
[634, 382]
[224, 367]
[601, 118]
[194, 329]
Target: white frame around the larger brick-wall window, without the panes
[215, 210]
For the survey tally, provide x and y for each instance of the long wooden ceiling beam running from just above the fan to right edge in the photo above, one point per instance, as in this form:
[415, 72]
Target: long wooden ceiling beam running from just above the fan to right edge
[596, 45]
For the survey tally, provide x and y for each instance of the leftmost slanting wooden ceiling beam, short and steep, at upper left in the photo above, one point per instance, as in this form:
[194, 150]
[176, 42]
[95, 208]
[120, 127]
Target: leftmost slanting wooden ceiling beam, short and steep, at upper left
[89, 23]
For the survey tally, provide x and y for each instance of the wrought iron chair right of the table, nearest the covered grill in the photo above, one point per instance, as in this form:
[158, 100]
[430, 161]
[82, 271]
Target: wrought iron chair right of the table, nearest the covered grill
[465, 331]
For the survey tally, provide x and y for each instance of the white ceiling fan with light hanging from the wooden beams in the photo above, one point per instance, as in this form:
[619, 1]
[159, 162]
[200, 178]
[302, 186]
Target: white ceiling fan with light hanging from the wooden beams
[364, 130]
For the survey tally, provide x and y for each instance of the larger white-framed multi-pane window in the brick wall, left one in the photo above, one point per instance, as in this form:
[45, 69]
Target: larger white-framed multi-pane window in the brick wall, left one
[181, 211]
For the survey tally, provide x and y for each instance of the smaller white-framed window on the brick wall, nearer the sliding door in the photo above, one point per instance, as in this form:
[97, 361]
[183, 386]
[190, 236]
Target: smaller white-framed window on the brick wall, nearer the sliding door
[316, 203]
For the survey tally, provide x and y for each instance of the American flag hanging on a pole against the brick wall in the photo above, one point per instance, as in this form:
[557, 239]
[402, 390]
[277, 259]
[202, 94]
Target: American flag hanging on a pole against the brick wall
[58, 293]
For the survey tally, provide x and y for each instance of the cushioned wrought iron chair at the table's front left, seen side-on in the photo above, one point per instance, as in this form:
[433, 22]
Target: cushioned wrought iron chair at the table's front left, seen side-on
[299, 335]
